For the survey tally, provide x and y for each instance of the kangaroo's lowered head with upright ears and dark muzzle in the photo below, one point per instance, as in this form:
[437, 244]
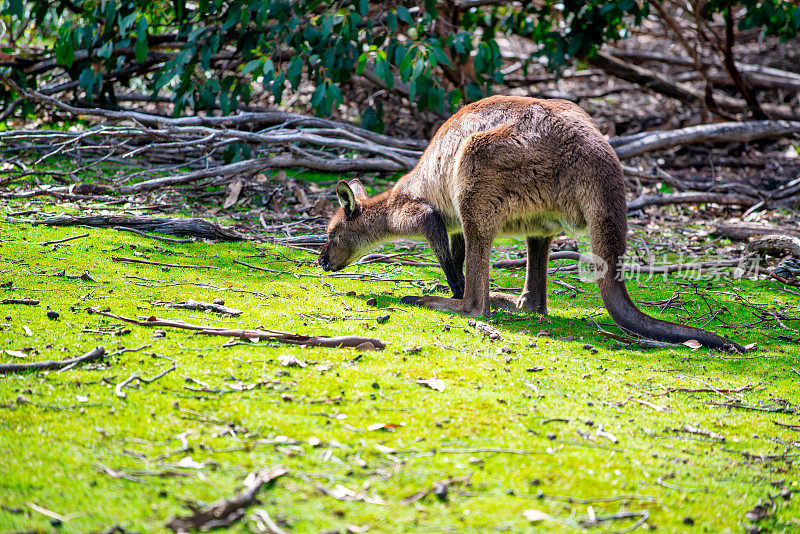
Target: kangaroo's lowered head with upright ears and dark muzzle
[349, 233]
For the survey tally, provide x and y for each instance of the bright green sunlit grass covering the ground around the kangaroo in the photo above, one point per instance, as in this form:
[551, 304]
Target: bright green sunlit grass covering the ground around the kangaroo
[57, 429]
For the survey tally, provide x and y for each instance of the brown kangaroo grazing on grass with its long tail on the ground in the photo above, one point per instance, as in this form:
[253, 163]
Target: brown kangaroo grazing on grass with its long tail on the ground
[506, 165]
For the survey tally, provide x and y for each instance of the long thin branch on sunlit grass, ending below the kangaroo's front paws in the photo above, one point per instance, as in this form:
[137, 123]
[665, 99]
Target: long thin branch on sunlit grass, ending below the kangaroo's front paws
[361, 343]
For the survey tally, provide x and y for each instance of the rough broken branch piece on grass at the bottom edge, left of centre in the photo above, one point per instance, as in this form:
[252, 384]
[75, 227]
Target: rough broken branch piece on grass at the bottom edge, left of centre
[225, 512]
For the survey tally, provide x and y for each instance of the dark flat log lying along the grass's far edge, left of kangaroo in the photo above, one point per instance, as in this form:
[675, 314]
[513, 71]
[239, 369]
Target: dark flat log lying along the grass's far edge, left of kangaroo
[165, 225]
